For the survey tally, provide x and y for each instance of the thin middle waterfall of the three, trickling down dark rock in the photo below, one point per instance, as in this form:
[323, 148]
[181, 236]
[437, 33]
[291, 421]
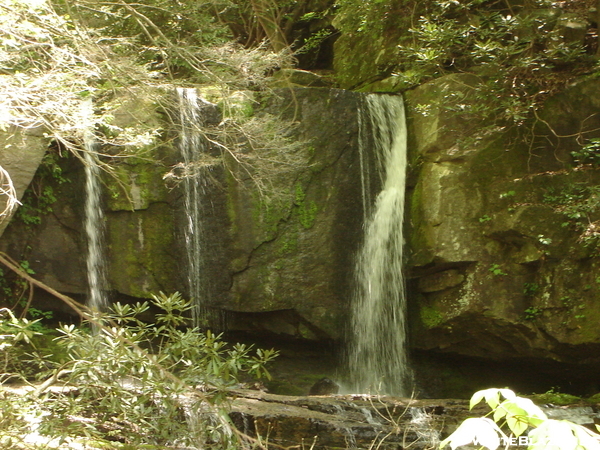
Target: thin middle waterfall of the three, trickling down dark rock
[192, 145]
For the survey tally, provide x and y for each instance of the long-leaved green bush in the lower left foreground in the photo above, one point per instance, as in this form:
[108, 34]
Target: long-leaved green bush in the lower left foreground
[119, 379]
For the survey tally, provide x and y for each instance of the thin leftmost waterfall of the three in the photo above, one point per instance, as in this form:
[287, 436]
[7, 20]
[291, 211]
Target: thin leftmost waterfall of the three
[94, 215]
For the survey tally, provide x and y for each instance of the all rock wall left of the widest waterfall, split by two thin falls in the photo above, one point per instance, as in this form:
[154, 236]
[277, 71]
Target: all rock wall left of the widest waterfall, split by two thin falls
[279, 250]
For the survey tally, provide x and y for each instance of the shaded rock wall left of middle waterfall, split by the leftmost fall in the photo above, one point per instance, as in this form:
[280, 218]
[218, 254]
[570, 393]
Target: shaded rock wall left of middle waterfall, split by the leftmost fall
[53, 244]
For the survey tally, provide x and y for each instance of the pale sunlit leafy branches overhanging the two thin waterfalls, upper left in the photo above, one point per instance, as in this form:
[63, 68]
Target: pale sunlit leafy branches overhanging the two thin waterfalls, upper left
[54, 55]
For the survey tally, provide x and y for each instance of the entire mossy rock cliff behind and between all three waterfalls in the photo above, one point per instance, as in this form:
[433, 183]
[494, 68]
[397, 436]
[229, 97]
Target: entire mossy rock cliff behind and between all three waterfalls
[503, 227]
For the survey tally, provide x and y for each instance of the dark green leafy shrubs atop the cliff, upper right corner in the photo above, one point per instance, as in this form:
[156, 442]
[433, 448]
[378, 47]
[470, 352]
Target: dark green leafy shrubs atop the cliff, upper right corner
[517, 55]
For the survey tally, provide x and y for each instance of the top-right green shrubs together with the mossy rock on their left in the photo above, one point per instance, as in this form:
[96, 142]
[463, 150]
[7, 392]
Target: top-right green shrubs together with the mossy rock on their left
[512, 55]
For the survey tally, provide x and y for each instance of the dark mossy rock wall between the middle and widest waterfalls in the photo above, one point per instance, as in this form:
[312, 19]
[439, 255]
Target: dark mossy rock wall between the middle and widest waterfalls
[299, 256]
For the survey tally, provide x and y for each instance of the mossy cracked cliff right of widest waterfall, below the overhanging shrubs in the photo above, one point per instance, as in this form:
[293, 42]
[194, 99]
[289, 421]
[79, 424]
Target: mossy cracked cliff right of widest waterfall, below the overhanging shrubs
[504, 255]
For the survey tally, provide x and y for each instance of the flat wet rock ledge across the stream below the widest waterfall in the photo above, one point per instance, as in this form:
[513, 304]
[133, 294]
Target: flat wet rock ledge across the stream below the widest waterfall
[363, 421]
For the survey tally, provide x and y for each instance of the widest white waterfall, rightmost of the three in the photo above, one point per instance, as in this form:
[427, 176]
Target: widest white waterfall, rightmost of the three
[377, 354]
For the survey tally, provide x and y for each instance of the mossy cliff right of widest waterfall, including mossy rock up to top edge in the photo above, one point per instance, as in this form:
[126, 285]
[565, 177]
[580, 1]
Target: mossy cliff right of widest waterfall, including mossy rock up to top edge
[502, 221]
